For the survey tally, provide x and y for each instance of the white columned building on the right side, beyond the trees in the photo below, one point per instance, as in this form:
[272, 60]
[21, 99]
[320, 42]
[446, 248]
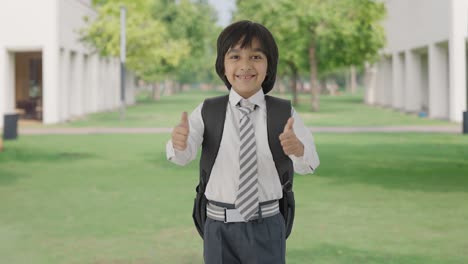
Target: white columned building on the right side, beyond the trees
[423, 67]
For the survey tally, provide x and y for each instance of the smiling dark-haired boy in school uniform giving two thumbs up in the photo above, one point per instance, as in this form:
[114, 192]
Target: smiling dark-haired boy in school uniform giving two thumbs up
[243, 186]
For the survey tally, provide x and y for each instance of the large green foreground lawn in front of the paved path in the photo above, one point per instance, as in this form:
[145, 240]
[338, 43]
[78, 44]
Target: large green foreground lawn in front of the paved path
[376, 198]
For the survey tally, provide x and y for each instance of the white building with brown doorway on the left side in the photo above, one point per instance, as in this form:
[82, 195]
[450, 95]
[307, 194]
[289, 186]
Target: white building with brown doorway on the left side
[45, 72]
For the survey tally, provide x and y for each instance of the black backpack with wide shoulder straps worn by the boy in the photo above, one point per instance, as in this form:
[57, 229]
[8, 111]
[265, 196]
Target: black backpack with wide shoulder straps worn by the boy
[214, 115]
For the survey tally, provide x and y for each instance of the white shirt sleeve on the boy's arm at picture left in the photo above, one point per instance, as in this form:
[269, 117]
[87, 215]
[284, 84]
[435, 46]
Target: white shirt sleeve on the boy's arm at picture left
[196, 129]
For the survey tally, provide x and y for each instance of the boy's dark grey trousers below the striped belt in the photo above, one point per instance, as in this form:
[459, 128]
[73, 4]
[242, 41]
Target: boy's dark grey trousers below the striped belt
[255, 242]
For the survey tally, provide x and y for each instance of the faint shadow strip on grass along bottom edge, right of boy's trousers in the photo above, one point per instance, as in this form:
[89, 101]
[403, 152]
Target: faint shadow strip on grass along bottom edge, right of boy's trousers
[327, 253]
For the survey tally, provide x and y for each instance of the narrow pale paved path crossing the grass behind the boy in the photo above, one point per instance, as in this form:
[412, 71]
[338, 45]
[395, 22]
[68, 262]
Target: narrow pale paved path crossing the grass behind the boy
[143, 130]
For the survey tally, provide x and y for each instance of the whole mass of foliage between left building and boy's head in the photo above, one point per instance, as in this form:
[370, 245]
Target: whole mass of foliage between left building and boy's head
[164, 37]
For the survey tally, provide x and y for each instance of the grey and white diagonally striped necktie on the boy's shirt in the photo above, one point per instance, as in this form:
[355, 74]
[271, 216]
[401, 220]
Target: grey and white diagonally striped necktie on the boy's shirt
[247, 194]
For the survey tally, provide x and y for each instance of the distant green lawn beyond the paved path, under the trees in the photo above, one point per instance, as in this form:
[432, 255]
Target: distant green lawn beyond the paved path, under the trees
[344, 110]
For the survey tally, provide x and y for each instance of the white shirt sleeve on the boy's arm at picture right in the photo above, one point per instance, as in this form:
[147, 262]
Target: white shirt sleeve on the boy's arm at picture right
[310, 161]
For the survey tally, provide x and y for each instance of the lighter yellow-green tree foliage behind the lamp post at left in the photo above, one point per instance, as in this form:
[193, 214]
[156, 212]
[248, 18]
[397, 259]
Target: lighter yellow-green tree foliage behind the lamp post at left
[149, 46]
